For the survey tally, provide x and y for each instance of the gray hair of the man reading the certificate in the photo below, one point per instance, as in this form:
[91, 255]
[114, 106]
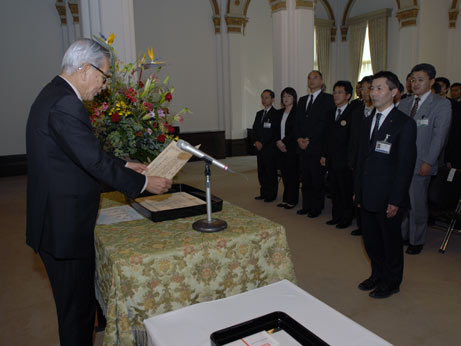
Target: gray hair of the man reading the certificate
[84, 51]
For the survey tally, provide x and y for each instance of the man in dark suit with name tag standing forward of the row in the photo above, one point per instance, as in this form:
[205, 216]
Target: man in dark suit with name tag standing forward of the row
[387, 154]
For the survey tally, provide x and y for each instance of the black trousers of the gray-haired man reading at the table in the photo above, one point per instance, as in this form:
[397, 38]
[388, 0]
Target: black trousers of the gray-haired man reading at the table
[72, 282]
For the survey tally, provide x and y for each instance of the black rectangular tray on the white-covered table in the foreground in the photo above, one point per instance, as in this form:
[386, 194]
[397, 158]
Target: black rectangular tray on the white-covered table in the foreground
[277, 319]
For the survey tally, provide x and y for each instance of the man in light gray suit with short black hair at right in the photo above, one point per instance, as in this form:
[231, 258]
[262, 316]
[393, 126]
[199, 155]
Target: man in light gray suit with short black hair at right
[432, 114]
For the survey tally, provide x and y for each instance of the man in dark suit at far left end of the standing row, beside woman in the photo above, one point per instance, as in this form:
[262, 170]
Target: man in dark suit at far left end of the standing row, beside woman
[264, 141]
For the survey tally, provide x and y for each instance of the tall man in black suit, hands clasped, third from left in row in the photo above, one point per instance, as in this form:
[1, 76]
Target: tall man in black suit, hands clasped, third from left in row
[311, 124]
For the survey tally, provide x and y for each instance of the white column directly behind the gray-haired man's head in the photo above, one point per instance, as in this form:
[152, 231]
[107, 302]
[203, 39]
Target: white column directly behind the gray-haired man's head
[111, 16]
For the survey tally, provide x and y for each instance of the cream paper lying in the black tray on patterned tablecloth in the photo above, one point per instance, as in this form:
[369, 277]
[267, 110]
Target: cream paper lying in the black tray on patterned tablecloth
[169, 201]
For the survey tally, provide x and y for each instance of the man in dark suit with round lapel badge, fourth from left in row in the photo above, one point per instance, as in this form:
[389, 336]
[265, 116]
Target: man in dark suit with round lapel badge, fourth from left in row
[336, 156]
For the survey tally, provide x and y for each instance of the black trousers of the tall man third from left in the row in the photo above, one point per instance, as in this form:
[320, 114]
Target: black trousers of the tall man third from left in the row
[312, 178]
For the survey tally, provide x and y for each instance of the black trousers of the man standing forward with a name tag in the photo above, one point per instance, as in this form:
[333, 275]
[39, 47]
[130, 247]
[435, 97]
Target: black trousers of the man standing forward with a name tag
[383, 241]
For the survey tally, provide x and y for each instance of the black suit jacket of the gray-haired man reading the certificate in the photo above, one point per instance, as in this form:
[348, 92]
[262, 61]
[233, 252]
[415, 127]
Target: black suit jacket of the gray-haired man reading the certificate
[65, 166]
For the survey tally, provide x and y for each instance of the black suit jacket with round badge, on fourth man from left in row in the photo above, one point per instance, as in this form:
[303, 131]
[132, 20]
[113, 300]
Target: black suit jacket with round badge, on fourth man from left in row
[338, 138]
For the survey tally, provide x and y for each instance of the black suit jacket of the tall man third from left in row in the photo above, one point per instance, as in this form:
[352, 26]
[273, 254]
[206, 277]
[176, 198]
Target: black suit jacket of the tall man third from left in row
[313, 125]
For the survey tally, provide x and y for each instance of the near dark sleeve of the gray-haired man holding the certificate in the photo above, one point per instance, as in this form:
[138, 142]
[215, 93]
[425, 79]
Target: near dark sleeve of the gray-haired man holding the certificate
[71, 129]
